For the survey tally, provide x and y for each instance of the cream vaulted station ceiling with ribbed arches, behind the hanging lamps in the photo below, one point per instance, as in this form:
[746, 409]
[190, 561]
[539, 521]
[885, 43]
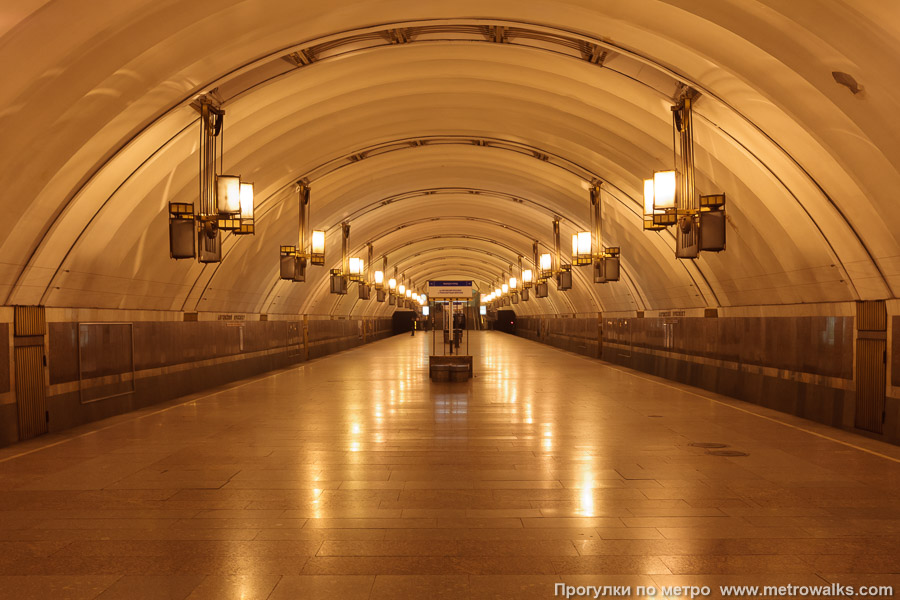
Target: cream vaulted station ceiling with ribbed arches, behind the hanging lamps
[449, 142]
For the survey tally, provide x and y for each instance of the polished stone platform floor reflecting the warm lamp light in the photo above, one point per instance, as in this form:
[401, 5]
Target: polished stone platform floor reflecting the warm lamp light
[353, 476]
